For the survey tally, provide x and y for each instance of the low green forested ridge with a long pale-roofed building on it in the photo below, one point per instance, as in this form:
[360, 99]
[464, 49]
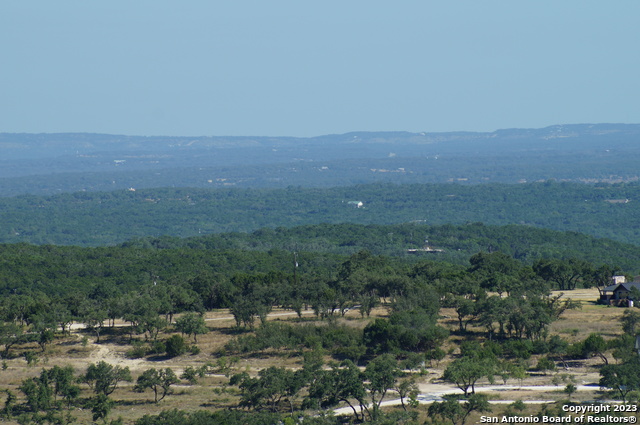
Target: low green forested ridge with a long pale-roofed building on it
[451, 243]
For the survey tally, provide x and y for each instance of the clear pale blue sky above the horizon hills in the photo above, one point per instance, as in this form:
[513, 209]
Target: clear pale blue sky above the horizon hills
[301, 68]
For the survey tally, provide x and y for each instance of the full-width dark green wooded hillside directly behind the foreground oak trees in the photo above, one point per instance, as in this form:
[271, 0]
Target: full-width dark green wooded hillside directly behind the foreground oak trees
[320, 249]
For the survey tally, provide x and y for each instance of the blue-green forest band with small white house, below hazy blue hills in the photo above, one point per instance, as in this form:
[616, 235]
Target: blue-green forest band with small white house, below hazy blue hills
[107, 218]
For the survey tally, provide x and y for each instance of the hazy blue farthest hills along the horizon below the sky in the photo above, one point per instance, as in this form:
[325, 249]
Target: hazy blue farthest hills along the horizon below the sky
[47, 164]
